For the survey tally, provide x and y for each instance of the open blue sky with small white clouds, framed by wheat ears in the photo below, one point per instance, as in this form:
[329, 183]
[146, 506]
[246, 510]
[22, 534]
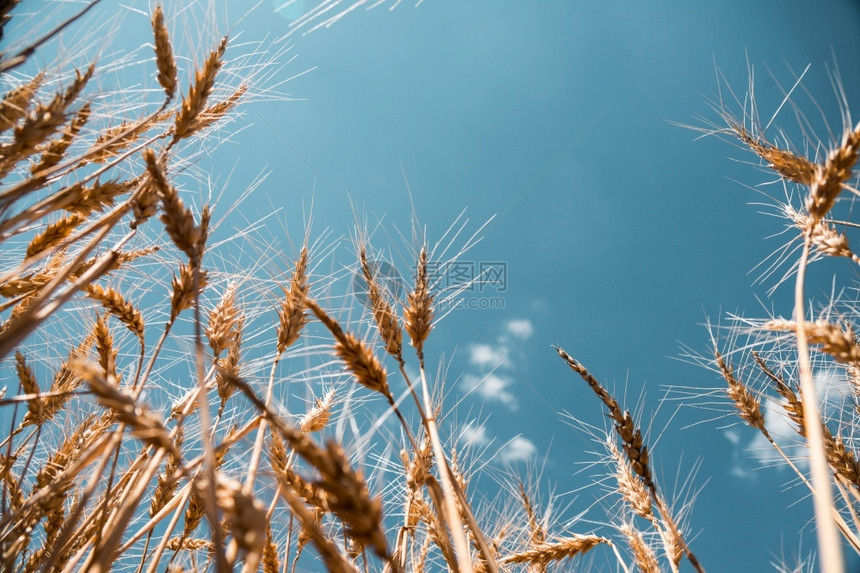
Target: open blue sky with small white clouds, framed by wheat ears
[621, 234]
